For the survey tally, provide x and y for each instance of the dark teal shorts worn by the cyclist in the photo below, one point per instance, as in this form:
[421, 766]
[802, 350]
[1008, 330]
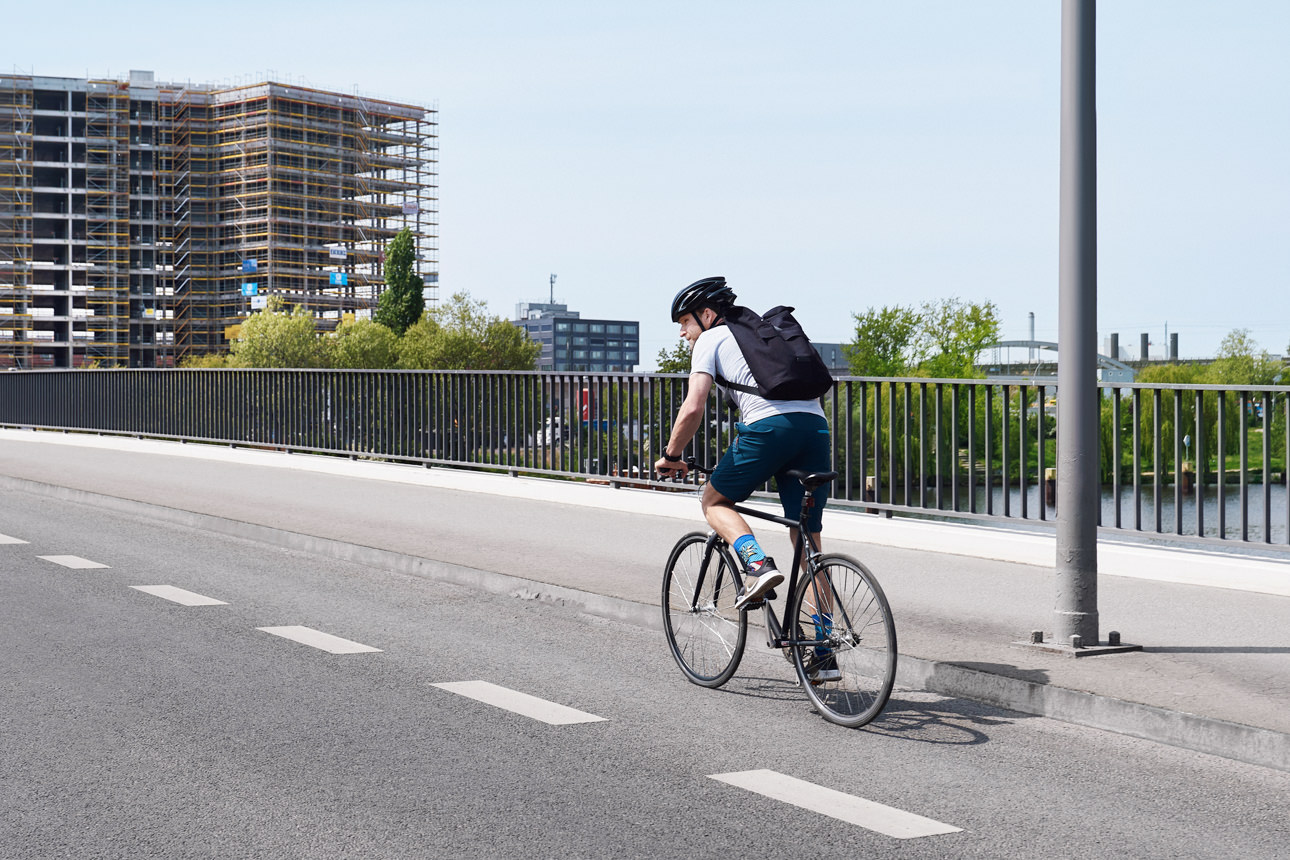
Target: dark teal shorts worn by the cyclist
[771, 448]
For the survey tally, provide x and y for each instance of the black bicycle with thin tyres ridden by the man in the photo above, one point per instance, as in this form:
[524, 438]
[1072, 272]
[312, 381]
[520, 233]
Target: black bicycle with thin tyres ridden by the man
[840, 638]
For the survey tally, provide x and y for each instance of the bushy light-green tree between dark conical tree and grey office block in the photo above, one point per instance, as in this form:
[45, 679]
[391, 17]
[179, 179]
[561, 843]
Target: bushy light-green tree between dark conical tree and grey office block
[461, 336]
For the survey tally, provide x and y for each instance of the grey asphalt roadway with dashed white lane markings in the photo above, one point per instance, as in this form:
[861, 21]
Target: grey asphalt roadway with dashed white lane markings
[141, 728]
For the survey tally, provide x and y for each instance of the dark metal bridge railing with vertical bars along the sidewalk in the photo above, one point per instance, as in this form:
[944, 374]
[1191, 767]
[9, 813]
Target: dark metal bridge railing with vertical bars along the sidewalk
[1186, 464]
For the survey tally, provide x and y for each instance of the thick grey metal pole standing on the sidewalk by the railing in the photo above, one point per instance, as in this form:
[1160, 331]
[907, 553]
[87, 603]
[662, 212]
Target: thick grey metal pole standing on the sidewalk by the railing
[1079, 484]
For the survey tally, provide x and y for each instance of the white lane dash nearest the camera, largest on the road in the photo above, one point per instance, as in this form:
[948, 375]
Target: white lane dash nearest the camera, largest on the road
[846, 808]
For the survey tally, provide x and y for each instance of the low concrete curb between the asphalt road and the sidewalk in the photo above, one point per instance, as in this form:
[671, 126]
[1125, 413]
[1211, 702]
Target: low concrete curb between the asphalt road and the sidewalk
[1251, 745]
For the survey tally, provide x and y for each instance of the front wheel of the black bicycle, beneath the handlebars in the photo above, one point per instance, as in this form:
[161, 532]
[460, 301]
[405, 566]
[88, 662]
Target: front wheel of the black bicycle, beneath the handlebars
[705, 631]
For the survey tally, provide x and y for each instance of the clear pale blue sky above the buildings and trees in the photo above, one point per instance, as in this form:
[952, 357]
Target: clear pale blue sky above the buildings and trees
[828, 155]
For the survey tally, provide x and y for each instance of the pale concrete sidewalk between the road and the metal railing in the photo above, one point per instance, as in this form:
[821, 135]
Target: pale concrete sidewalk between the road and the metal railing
[1216, 629]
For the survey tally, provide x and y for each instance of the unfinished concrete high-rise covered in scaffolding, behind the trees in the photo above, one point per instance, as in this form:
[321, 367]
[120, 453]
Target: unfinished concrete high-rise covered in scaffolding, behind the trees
[141, 222]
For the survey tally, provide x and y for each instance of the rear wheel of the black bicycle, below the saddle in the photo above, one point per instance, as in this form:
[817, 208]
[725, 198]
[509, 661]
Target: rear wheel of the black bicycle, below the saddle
[846, 649]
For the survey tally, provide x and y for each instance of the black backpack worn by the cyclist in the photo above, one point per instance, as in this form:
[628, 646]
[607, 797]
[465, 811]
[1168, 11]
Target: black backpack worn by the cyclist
[780, 355]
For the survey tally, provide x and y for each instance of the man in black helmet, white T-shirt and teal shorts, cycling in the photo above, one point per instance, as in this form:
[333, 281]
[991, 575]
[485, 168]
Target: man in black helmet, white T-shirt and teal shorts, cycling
[775, 436]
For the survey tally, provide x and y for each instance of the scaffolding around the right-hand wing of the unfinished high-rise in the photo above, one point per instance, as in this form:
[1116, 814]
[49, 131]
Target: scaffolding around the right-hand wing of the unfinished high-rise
[306, 189]
